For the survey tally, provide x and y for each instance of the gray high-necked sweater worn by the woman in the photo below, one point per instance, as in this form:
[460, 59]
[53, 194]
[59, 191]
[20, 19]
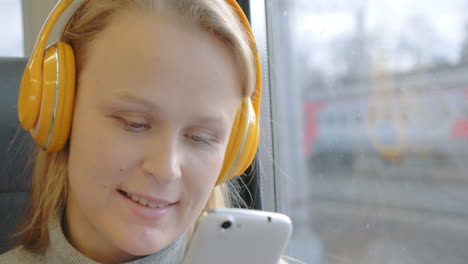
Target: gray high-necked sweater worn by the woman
[61, 252]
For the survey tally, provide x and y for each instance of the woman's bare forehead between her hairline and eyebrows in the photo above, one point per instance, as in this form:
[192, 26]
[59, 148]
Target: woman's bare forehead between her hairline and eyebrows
[161, 57]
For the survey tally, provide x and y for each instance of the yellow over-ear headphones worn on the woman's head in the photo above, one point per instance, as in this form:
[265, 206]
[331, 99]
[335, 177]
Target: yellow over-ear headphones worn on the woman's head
[47, 91]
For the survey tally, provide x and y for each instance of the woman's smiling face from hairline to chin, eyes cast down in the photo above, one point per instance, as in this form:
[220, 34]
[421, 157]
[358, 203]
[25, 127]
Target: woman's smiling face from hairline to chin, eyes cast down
[154, 109]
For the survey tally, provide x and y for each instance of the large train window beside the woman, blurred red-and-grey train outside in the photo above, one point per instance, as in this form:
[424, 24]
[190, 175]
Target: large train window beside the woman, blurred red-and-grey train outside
[371, 127]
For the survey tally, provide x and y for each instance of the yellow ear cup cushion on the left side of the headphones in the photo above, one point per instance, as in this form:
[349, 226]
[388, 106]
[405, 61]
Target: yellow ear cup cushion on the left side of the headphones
[55, 116]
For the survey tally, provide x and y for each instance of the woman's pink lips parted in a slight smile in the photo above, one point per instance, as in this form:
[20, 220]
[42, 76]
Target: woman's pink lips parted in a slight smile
[146, 212]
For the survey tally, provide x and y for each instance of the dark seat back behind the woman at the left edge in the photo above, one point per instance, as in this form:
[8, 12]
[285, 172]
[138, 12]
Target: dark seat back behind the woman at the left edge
[14, 174]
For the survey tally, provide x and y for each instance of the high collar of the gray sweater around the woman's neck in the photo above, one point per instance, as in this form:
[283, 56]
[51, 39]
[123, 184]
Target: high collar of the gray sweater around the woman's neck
[61, 251]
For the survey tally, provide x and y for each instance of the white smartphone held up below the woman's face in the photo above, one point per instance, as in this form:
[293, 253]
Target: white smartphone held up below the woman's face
[238, 236]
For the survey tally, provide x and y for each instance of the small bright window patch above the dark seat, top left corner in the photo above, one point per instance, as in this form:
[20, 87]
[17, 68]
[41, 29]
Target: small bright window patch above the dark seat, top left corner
[11, 29]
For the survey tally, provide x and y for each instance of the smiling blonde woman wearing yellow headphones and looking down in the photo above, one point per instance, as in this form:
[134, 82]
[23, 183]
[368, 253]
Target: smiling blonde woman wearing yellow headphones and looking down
[162, 116]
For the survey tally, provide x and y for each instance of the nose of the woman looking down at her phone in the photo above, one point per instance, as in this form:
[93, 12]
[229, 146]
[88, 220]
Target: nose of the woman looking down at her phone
[161, 160]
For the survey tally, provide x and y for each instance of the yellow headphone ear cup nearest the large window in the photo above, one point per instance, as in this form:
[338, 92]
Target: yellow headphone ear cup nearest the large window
[242, 145]
